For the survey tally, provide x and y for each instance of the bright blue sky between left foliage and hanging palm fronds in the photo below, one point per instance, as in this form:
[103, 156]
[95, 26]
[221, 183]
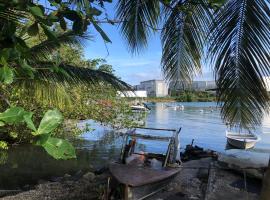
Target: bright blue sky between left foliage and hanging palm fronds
[131, 68]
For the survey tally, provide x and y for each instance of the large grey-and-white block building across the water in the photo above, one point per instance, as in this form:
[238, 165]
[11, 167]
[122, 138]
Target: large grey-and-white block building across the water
[154, 88]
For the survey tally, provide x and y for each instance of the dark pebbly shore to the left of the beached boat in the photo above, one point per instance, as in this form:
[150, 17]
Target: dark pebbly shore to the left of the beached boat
[88, 186]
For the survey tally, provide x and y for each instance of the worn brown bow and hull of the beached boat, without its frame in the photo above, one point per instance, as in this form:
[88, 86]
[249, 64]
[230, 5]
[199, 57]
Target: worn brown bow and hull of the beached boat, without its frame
[138, 183]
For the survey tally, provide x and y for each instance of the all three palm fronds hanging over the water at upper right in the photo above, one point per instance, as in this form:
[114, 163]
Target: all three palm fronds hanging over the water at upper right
[235, 34]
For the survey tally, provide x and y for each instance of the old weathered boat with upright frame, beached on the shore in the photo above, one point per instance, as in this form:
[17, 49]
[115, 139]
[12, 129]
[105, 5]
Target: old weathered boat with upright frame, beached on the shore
[148, 173]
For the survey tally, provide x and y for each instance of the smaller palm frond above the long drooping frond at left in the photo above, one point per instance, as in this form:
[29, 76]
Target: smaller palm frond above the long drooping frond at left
[45, 48]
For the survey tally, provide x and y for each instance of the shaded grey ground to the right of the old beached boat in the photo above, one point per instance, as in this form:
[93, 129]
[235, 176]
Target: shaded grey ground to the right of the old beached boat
[202, 184]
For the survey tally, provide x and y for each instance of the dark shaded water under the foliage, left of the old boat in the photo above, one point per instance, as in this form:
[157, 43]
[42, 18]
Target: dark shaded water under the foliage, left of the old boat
[27, 164]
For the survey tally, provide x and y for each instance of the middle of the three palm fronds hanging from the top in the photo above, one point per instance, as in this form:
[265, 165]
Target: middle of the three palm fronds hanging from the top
[182, 41]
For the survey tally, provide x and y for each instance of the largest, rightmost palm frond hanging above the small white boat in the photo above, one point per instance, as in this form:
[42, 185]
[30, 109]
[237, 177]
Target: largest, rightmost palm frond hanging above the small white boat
[239, 50]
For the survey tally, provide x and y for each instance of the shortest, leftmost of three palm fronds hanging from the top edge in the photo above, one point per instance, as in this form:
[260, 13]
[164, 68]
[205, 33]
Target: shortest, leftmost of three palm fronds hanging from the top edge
[137, 17]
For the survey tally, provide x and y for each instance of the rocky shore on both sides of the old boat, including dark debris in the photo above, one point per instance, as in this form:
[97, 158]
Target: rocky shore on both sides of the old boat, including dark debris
[202, 177]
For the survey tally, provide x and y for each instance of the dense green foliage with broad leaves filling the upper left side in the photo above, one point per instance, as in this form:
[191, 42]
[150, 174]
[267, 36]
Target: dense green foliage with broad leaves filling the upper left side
[30, 37]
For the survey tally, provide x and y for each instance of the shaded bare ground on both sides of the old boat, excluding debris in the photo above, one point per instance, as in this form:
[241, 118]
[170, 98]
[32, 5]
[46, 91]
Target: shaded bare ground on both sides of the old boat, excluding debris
[191, 184]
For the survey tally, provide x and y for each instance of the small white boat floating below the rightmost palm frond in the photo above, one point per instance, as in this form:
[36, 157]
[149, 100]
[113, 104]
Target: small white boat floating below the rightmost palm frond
[242, 141]
